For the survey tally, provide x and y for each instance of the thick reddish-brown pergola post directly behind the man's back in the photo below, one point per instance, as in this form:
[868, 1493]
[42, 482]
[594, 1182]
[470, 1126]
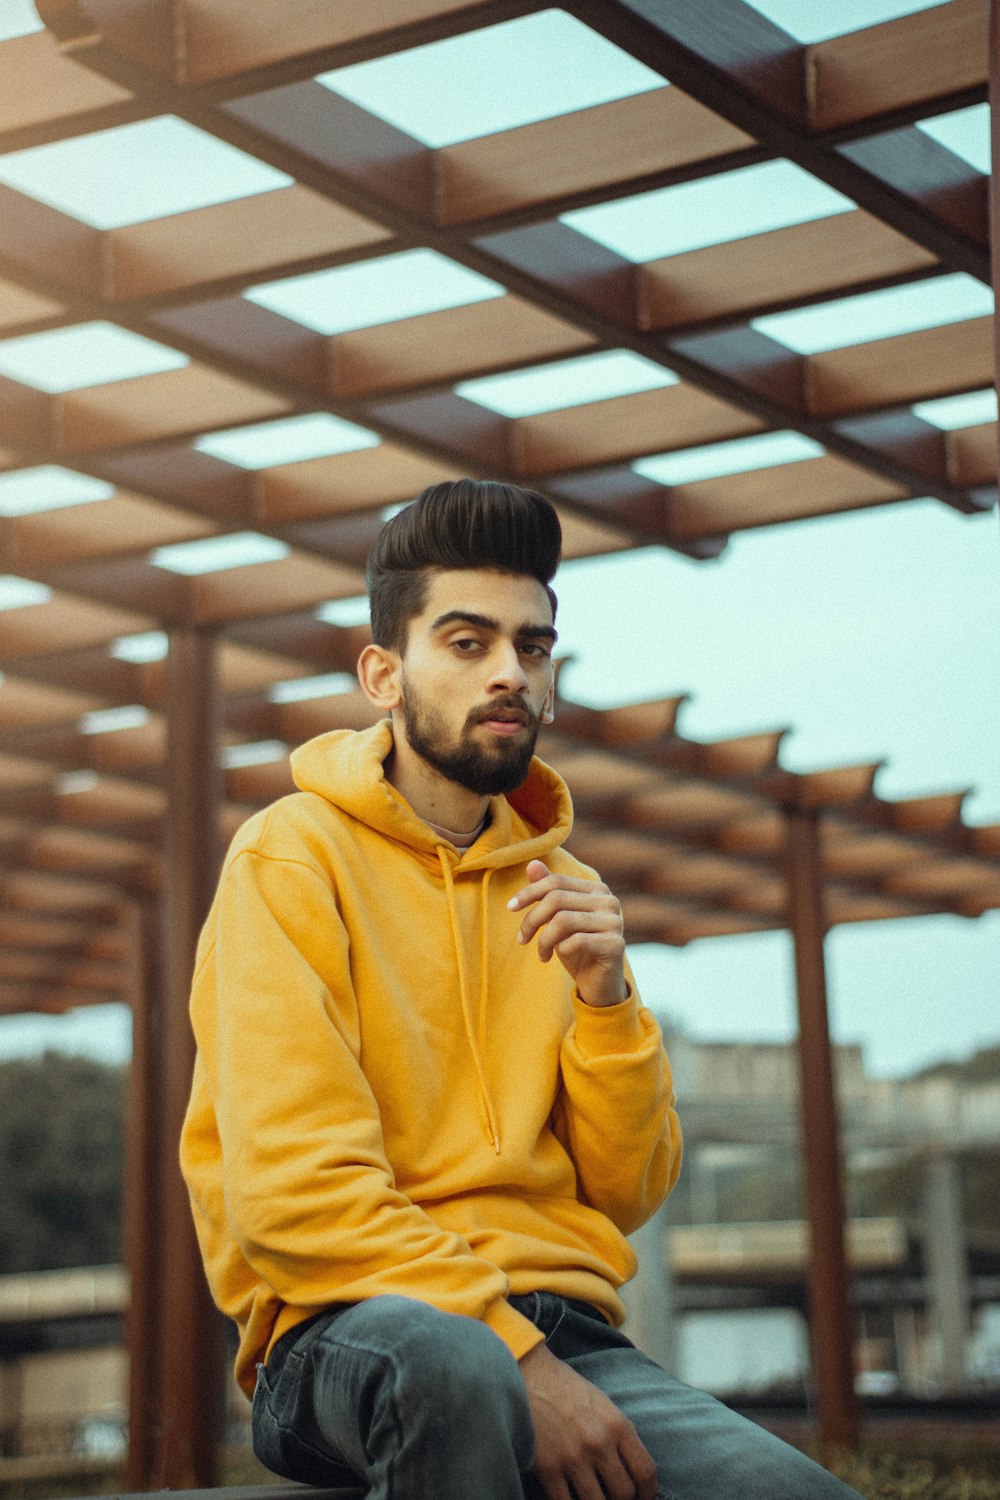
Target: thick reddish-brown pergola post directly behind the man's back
[191, 1330]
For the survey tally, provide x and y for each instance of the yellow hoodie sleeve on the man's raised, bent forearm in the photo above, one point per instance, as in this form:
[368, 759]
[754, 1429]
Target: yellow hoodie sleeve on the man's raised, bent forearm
[617, 1111]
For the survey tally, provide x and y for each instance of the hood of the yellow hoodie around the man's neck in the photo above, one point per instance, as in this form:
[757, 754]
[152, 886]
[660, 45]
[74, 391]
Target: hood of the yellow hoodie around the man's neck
[347, 767]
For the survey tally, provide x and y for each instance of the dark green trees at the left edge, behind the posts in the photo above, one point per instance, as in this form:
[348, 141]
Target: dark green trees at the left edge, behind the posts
[61, 1163]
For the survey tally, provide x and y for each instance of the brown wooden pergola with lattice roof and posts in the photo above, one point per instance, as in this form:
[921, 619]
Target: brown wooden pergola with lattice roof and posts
[139, 703]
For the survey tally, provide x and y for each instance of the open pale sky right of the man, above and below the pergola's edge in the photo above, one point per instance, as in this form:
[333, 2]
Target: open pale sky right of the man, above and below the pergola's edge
[876, 637]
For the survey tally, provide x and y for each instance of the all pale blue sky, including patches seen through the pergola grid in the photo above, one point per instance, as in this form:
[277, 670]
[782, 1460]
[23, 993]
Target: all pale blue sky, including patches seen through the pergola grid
[875, 637]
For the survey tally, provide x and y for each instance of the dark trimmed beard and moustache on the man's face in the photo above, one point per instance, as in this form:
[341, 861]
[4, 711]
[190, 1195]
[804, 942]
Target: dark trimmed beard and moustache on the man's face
[485, 770]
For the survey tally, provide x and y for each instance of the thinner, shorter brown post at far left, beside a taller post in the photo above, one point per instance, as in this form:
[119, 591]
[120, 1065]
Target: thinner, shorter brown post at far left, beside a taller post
[143, 1232]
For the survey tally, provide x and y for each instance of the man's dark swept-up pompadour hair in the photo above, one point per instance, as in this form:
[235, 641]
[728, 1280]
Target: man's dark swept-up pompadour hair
[461, 524]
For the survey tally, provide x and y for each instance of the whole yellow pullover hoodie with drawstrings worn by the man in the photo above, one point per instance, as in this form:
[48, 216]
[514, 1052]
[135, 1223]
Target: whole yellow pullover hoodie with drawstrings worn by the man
[392, 1094]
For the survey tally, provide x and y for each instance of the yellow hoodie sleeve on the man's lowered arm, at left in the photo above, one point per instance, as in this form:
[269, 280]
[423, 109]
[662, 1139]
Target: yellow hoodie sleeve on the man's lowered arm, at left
[296, 1151]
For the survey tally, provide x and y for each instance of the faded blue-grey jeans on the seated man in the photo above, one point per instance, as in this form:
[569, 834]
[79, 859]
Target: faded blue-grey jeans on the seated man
[409, 1403]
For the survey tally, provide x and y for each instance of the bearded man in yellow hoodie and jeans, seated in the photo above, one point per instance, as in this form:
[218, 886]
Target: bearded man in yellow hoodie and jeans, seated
[428, 1106]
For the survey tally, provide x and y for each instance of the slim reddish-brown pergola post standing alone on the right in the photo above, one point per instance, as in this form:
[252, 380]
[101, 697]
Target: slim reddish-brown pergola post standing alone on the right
[831, 1315]
